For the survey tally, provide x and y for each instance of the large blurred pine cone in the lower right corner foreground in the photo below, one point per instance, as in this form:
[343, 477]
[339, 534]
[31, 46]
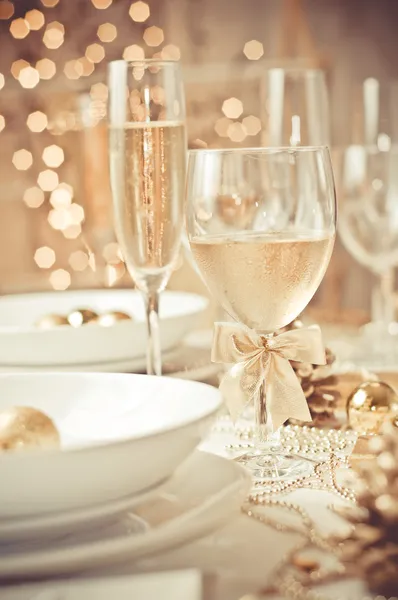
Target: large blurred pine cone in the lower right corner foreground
[372, 547]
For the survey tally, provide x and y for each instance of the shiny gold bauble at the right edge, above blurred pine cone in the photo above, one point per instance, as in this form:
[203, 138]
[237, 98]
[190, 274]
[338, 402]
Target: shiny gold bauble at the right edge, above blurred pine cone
[370, 405]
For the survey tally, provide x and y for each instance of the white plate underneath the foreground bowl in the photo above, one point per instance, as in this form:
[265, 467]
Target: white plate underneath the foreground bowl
[202, 495]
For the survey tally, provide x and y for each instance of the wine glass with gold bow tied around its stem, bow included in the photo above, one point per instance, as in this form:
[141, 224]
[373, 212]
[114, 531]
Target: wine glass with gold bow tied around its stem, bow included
[263, 270]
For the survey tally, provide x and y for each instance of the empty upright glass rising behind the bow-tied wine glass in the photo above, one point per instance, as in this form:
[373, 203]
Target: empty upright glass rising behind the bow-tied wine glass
[295, 108]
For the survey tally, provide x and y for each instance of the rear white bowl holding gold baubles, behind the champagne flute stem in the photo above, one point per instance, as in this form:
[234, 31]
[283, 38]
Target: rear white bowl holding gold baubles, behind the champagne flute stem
[24, 344]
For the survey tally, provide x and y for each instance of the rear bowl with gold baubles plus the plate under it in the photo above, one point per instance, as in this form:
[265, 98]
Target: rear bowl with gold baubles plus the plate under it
[35, 334]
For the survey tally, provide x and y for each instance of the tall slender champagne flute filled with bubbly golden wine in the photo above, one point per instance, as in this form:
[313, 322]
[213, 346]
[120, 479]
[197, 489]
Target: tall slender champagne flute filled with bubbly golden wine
[147, 148]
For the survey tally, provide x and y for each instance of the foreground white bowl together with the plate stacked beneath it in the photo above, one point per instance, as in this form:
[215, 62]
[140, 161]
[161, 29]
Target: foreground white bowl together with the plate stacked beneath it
[126, 481]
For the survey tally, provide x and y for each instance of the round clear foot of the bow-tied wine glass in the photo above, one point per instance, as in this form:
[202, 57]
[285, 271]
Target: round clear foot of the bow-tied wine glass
[276, 466]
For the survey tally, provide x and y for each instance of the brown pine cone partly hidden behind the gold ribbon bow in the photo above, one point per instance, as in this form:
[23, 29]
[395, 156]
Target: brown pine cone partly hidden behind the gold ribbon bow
[319, 386]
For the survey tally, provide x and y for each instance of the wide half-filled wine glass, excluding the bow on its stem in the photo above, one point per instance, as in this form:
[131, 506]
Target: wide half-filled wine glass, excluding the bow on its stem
[264, 269]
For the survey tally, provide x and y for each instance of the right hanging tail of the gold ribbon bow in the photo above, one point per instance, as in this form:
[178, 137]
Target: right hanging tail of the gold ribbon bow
[284, 395]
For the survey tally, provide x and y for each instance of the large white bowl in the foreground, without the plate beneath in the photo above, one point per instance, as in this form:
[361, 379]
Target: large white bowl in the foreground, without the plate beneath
[121, 434]
